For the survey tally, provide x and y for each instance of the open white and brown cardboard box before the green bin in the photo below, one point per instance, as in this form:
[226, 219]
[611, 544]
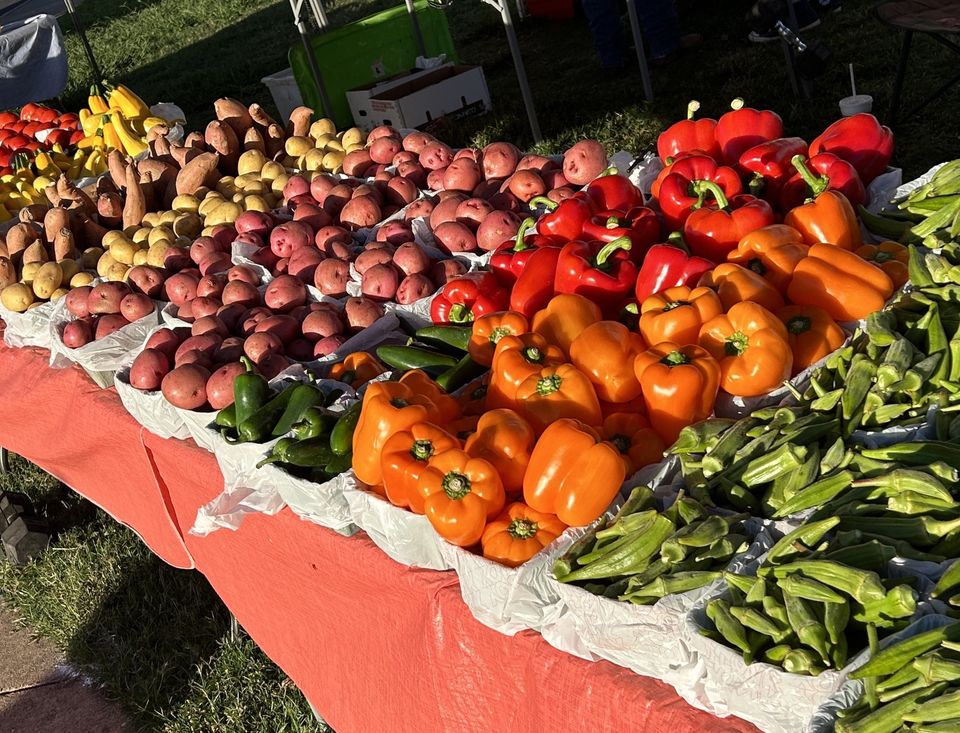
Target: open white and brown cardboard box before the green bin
[420, 98]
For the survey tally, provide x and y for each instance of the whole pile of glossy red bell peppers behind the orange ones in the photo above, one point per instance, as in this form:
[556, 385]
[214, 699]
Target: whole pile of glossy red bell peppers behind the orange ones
[721, 180]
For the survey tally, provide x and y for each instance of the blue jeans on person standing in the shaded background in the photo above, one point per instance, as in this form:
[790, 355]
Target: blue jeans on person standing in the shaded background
[658, 19]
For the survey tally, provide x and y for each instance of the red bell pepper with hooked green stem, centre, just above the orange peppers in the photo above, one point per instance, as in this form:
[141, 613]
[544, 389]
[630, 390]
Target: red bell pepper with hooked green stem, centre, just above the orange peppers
[592, 270]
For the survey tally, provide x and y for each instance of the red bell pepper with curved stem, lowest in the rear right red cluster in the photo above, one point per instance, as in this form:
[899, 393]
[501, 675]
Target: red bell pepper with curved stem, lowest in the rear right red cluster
[715, 230]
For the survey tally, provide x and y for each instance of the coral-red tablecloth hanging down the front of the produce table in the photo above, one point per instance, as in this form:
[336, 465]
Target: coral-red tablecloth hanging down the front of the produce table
[372, 644]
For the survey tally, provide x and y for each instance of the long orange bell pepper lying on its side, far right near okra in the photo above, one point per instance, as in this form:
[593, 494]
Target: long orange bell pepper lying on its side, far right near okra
[837, 280]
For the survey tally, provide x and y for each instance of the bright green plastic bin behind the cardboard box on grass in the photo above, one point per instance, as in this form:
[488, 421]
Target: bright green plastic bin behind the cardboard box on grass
[366, 51]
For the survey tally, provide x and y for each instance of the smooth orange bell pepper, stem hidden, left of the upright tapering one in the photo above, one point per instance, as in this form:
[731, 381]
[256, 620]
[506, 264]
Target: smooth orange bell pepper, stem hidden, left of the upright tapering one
[605, 351]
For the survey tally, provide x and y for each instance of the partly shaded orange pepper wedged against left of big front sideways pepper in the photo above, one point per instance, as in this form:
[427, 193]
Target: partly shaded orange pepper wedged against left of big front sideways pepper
[505, 440]
